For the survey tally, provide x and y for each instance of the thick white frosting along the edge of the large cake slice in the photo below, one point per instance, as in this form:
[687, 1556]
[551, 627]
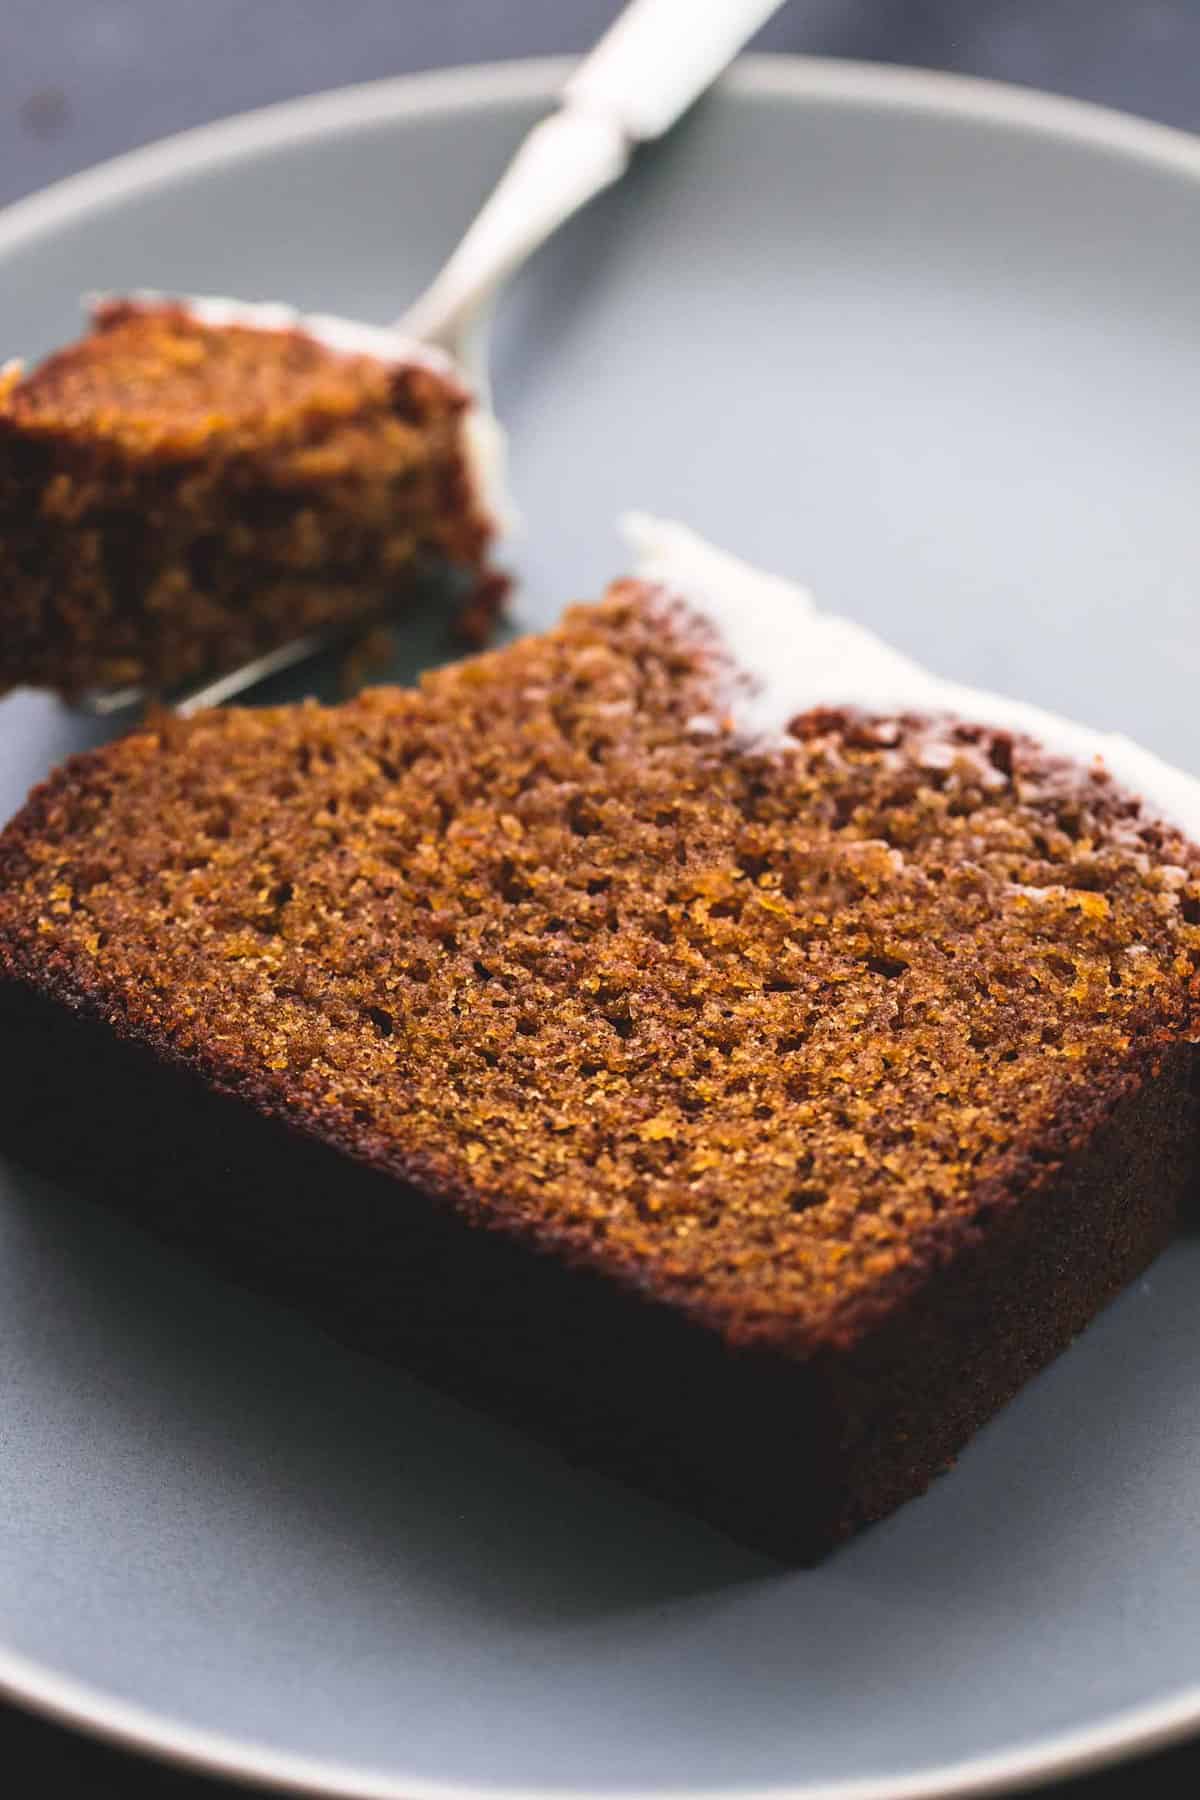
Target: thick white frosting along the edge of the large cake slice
[793, 656]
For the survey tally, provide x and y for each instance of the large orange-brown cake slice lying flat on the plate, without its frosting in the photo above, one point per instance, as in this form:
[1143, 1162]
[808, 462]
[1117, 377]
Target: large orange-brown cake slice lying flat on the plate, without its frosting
[748, 1124]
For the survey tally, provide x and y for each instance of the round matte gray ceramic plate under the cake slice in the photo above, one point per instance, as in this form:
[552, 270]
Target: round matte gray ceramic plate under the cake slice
[933, 346]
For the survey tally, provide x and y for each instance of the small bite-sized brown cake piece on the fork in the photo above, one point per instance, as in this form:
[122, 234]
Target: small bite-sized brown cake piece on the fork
[179, 498]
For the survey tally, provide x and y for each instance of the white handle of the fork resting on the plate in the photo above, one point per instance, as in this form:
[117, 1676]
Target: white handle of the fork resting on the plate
[649, 67]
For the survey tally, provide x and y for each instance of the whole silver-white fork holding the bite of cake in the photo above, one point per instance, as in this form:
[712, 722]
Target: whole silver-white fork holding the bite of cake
[645, 73]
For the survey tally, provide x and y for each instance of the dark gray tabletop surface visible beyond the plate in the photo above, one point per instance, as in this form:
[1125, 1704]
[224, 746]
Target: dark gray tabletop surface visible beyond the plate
[82, 80]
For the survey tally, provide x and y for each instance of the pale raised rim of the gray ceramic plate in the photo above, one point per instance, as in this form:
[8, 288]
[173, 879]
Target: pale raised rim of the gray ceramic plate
[465, 89]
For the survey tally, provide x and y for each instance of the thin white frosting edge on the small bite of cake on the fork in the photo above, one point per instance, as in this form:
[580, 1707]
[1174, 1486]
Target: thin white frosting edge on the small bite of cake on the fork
[483, 435]
